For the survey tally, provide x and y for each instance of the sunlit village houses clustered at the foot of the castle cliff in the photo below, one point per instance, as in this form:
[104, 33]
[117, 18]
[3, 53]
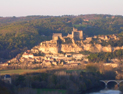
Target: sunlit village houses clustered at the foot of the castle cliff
[29, 60]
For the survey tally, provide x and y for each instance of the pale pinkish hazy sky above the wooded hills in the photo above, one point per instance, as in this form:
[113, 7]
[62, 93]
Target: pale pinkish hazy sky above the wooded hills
[19, 8]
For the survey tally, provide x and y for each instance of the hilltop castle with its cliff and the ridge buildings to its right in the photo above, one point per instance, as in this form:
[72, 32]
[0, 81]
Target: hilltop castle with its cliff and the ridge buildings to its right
[75, 43]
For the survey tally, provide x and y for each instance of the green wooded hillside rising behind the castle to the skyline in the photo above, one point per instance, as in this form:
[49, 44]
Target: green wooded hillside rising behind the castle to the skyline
[20, 33]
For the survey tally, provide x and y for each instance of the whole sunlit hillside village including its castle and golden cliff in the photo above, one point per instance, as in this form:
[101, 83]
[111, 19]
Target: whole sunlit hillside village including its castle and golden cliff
[52, 54]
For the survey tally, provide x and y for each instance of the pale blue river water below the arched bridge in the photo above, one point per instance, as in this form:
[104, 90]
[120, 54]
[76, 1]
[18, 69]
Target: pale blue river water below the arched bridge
[106, 92]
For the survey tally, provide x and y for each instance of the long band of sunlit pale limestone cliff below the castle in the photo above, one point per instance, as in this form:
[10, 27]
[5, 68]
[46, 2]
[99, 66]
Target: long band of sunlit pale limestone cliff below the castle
[53, 48]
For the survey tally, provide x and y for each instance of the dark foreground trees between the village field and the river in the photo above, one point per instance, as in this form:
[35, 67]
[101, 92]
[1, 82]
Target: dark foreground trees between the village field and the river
[69, 82]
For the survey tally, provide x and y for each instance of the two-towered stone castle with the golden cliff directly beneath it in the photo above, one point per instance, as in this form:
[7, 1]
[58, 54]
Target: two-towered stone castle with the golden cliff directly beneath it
[53, 47]
